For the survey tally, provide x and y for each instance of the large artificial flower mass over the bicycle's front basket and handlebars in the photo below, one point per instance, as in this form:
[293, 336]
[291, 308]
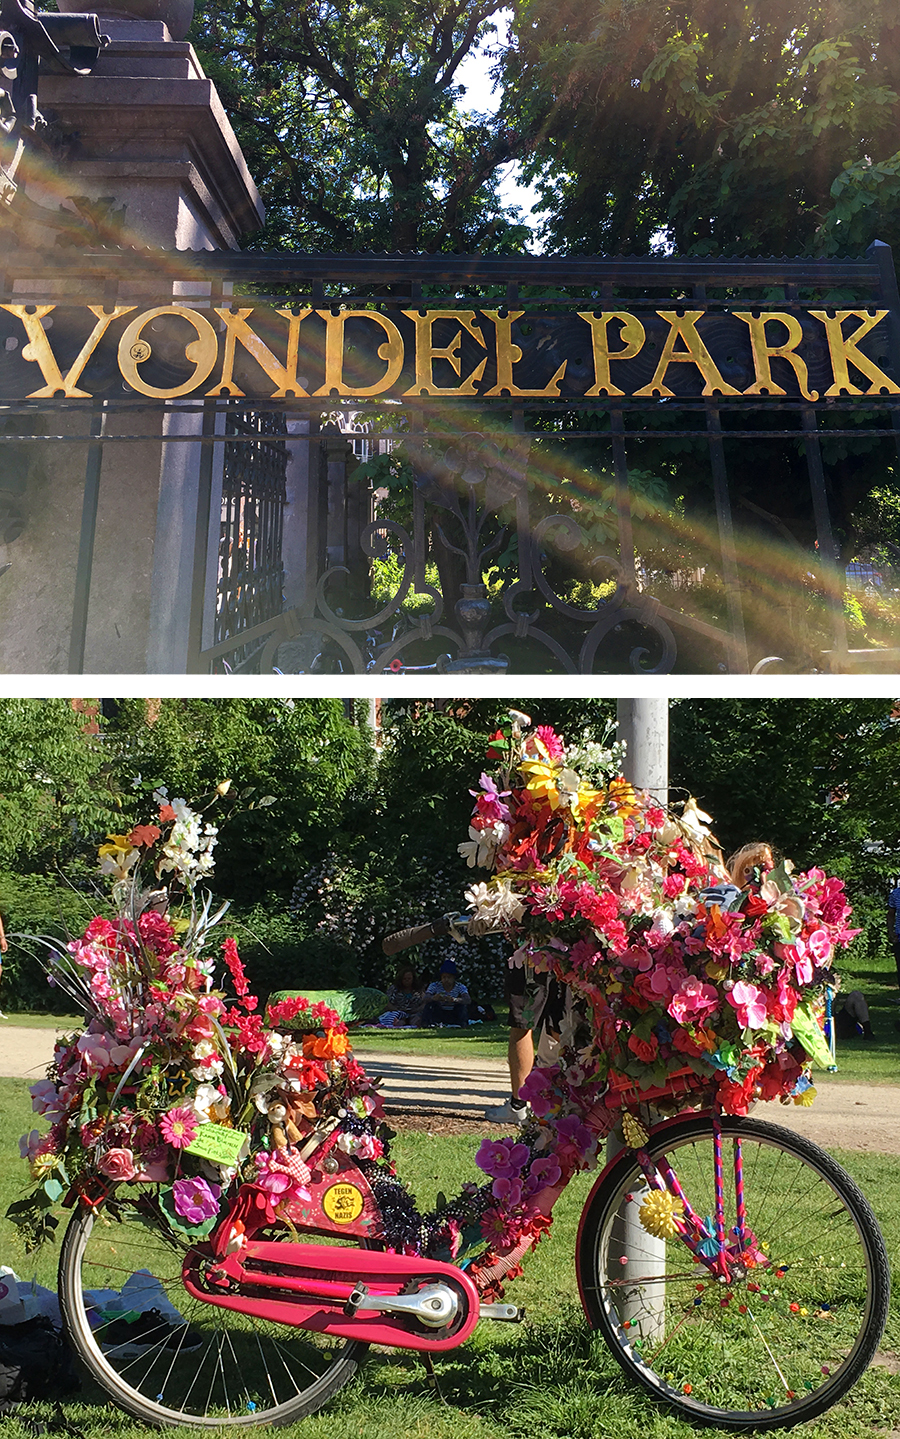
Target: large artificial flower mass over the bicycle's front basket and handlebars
[679, 978]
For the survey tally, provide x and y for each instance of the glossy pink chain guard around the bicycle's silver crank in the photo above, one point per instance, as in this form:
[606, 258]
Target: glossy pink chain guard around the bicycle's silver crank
[310, 1286]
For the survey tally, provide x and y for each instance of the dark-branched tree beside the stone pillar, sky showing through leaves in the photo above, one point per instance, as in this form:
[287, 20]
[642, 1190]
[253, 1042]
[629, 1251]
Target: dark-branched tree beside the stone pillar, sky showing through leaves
[351, 124]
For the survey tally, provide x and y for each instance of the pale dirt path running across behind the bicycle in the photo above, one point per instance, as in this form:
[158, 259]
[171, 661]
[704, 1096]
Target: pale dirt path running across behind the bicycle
[447, 1093]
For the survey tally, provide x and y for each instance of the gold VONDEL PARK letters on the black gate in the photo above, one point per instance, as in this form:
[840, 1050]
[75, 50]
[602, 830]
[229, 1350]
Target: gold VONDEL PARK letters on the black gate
[366, 352]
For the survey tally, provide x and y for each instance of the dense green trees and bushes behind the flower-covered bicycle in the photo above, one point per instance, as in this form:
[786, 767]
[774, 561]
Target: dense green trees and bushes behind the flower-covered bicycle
[354, 848]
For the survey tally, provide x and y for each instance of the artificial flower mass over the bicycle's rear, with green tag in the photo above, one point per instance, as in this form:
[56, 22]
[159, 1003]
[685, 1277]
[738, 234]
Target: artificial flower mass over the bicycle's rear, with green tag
[176, 1091]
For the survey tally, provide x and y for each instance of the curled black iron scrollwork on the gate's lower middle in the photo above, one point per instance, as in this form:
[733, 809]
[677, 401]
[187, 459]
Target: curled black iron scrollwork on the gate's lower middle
[469, 500]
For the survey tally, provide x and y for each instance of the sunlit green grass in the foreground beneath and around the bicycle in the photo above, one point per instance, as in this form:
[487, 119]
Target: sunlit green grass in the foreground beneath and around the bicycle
[545, 1379]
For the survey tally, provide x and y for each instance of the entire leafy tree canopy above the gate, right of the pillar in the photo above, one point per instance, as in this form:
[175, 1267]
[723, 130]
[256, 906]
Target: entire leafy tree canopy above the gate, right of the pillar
[712, 129]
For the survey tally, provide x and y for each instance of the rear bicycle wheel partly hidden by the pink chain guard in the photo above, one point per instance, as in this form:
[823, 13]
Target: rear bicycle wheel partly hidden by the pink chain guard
[205, 1368]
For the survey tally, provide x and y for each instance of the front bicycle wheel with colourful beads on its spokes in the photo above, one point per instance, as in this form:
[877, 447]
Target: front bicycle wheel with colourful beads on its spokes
[744, 1362]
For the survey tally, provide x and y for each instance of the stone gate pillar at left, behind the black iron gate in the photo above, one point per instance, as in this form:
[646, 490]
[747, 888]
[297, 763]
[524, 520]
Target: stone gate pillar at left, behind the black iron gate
[150, 146]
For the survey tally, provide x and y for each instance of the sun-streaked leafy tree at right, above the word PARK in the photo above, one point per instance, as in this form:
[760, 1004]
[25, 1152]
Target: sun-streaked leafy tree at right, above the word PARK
[731, 129]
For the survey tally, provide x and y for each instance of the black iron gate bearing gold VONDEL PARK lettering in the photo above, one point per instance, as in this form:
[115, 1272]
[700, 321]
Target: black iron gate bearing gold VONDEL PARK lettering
[519, 533]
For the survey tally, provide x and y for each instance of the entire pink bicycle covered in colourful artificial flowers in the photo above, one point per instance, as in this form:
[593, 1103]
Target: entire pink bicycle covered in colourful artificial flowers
[230, 1174]
